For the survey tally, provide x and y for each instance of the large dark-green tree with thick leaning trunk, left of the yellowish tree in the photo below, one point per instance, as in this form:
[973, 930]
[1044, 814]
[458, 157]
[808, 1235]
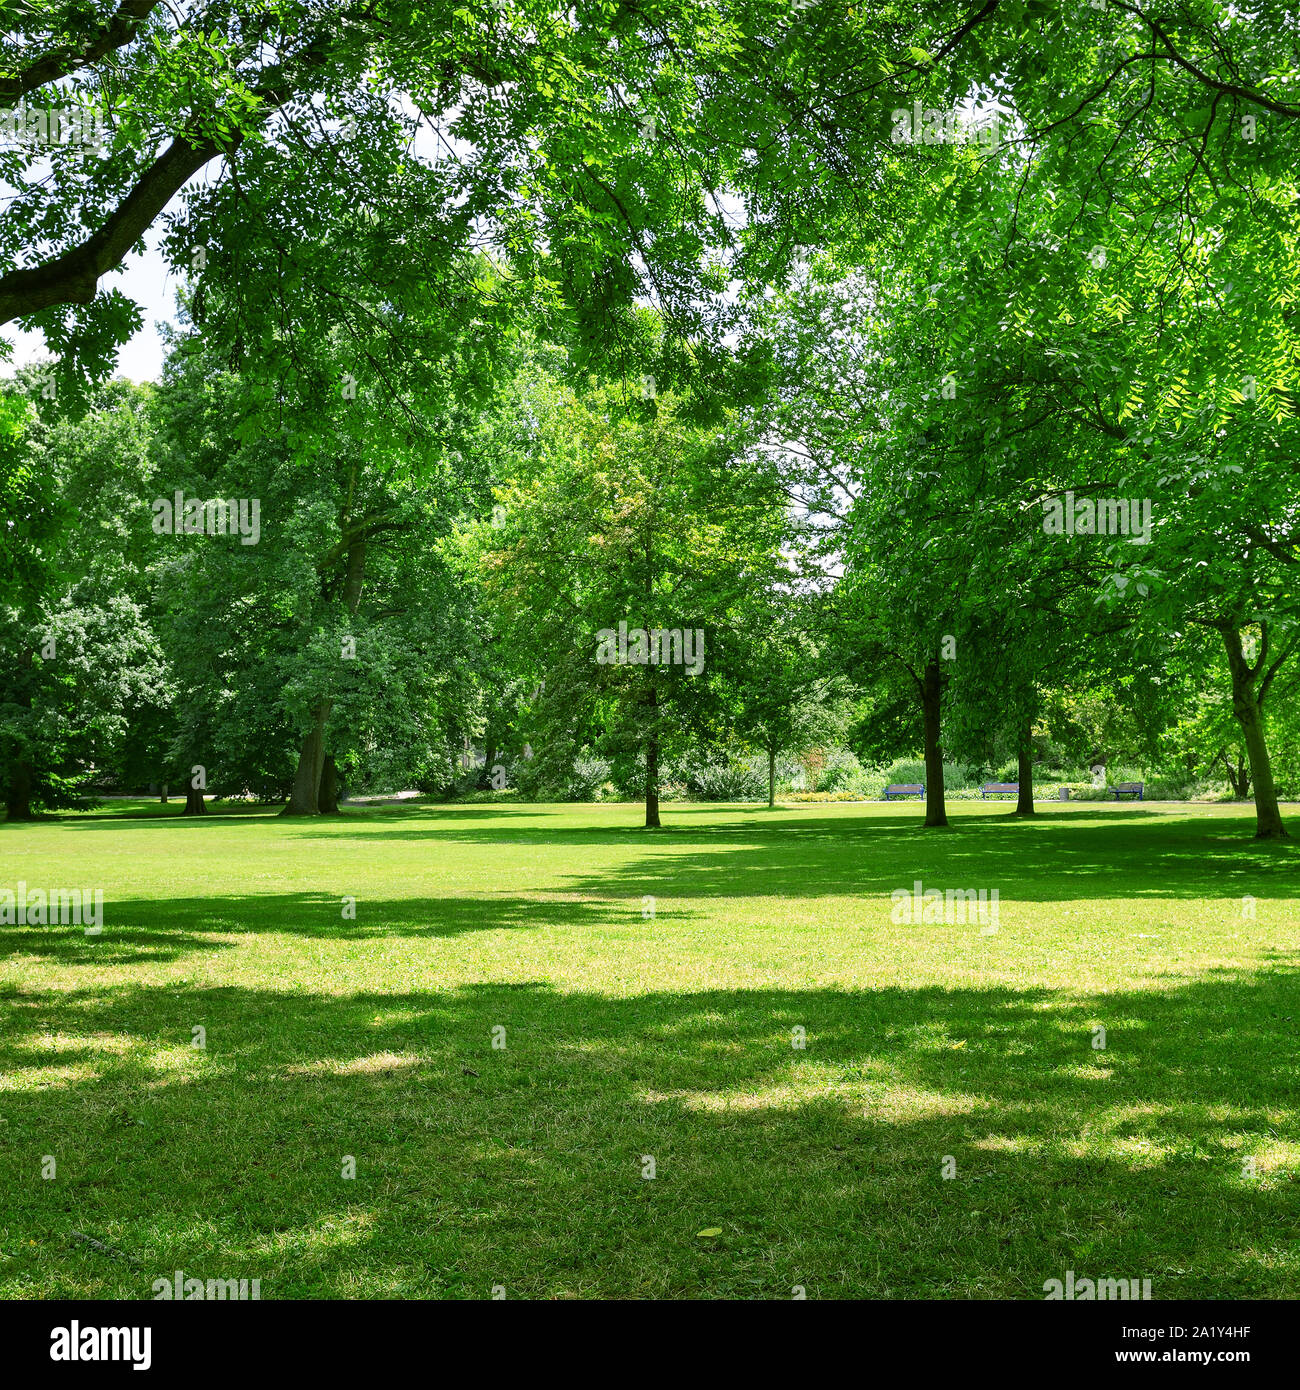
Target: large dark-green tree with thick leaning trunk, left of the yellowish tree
[337, 623]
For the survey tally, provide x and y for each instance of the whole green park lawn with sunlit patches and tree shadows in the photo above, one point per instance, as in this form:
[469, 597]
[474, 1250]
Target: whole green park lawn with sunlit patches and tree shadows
[667, 1035]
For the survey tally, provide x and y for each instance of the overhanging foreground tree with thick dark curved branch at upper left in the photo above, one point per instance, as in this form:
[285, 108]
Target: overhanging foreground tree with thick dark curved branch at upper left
[301, 159]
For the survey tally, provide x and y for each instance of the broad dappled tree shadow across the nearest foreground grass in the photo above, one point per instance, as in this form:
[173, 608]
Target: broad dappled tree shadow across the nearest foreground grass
[523, 1167]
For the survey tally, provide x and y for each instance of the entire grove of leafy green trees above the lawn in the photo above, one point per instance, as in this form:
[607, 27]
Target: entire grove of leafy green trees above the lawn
[893, 386]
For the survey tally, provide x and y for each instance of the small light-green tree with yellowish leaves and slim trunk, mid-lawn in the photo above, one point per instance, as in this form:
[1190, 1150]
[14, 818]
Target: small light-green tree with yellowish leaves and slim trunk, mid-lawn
[632, 539]
